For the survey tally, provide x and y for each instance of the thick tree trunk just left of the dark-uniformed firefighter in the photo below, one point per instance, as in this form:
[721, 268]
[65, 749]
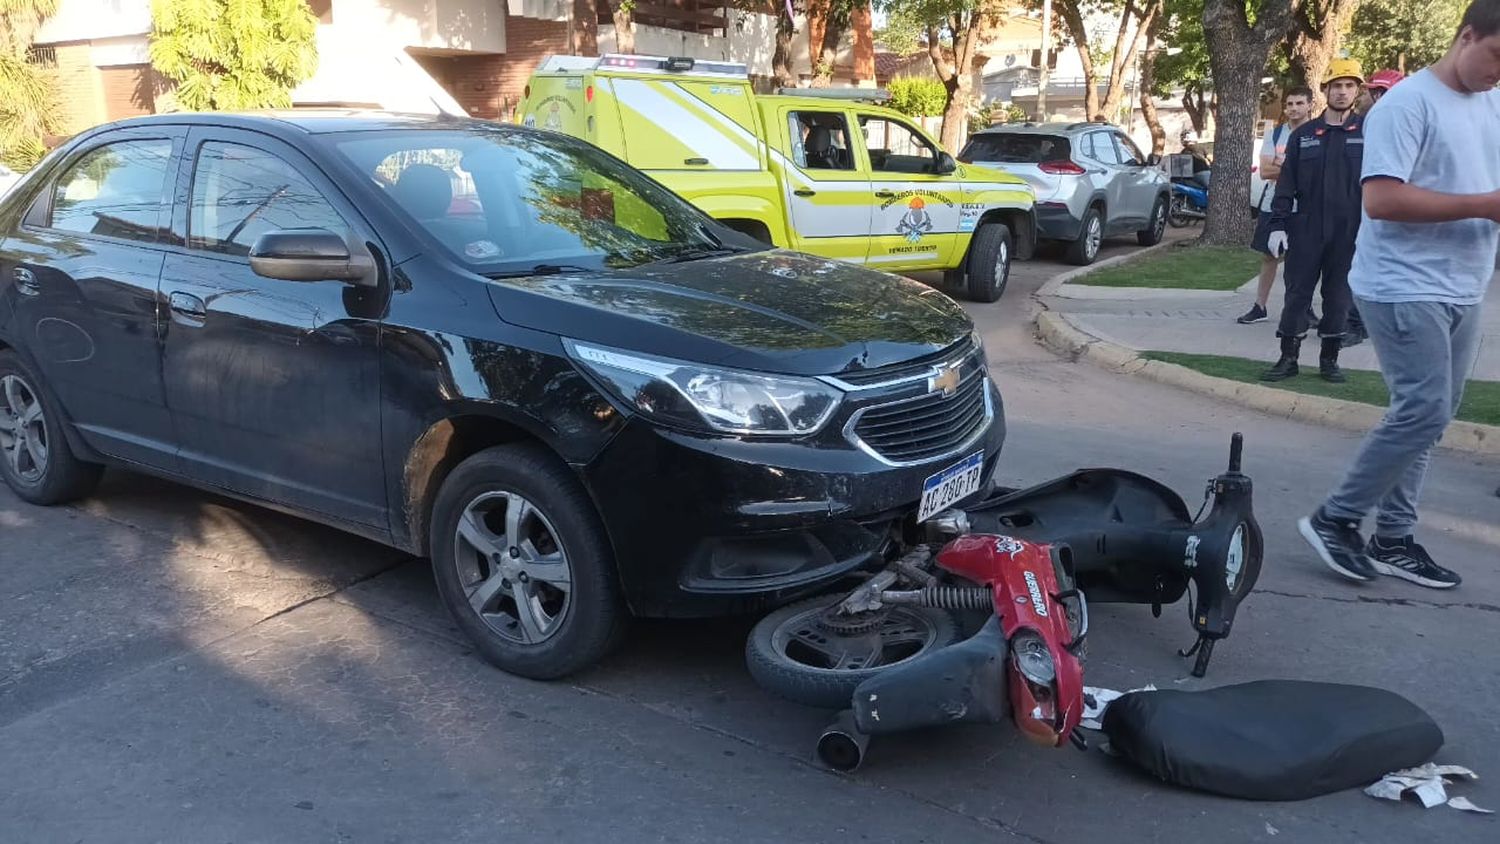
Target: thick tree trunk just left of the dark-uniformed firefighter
[1238, 56]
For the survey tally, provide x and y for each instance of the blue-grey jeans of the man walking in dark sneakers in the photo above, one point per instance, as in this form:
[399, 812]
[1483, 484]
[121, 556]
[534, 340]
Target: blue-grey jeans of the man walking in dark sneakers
[1427, 350]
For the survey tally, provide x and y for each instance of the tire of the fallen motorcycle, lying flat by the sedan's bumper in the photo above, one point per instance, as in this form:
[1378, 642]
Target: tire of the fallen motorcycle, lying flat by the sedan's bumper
[785, 675]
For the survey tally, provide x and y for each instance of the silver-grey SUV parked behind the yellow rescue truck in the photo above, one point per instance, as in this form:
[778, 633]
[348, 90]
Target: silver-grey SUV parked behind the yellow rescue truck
[1091, 182]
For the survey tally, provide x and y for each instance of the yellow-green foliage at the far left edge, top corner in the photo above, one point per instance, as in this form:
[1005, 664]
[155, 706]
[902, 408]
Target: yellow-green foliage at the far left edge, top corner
[28, 89]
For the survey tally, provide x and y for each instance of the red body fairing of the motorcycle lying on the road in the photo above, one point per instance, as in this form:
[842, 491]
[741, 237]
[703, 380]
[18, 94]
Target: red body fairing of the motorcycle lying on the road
[1031, 584]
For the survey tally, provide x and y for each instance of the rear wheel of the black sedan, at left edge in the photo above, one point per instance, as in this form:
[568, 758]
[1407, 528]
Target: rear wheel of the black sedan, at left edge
[37, 461]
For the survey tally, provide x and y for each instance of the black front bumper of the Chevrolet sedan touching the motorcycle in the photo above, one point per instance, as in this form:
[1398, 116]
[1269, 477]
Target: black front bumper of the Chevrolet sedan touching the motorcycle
[707, 527]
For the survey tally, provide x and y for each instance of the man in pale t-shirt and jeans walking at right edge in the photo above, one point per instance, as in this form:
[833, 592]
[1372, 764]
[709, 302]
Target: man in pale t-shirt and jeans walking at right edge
[1423, 266]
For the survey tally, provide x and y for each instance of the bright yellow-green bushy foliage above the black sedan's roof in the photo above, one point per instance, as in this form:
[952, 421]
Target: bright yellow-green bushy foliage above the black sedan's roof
[233, 55]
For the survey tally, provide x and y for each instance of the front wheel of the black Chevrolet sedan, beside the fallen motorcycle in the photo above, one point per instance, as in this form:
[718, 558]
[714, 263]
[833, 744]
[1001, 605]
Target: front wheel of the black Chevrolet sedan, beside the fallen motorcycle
[562, 543]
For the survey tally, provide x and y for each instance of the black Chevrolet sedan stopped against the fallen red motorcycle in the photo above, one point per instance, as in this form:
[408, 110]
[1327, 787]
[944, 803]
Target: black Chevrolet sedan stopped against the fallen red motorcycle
[494, 347]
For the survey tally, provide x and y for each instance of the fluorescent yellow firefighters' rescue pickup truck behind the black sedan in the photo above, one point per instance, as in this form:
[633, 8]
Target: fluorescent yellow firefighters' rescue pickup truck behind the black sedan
[826, 172]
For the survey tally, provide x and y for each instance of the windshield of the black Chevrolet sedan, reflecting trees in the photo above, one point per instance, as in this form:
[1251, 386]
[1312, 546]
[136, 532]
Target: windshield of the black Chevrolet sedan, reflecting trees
[511, 202]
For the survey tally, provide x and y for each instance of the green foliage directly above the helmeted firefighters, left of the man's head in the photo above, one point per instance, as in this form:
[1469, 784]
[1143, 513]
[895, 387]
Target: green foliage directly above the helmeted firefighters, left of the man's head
[1406, 35]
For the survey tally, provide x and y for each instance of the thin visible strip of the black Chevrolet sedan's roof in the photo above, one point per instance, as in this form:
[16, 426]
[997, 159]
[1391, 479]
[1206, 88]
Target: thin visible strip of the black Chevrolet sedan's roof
[308, 121]
